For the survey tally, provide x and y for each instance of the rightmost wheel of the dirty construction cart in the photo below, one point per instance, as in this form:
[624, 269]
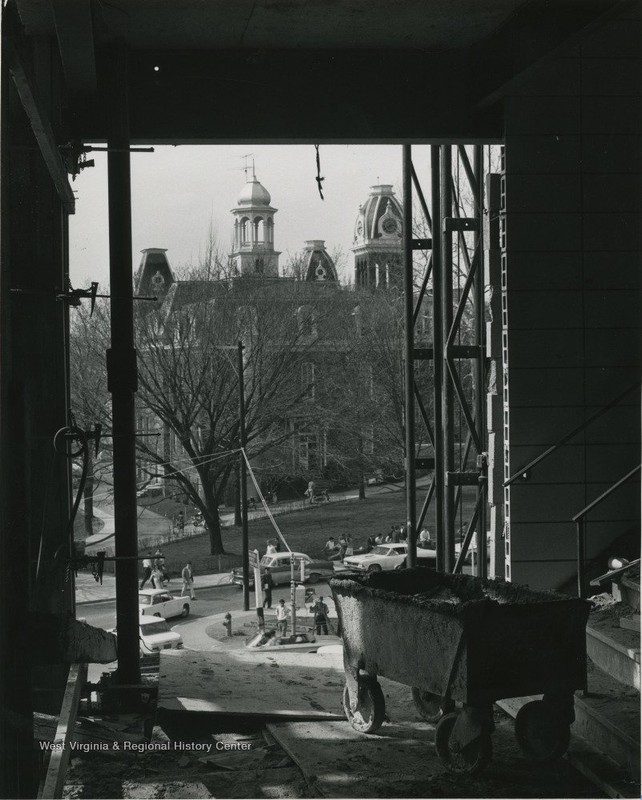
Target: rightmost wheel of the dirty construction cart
[541, 731]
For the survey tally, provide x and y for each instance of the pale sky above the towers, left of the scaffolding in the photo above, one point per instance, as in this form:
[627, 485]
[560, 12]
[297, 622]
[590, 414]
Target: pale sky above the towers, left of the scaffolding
[177, 191]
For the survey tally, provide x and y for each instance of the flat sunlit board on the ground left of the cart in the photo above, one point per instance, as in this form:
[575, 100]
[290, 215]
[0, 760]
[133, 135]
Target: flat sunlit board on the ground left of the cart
[232, 682]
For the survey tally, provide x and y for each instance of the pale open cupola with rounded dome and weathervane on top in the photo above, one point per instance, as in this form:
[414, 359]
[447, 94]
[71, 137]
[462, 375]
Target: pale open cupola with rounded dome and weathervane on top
[253, 251]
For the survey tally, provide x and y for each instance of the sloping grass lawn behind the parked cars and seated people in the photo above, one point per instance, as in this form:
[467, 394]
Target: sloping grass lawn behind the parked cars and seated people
[306, 531]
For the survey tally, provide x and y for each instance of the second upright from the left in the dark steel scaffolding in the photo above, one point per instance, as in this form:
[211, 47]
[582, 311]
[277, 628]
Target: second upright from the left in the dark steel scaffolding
[438, 349]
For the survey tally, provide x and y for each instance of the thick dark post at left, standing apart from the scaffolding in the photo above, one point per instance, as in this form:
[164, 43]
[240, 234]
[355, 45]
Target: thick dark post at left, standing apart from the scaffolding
[121, 368]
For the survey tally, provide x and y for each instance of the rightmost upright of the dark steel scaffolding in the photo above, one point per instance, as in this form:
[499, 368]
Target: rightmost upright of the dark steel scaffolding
[480, 371]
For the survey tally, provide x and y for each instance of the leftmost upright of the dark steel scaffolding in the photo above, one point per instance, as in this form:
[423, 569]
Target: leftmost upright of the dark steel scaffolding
[411, 503]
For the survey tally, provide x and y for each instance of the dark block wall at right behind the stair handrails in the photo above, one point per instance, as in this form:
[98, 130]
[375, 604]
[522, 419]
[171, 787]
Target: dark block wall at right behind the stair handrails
[570, 275]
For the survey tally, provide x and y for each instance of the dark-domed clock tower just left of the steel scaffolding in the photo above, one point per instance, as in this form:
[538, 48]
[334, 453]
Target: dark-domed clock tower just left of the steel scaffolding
[378, 245]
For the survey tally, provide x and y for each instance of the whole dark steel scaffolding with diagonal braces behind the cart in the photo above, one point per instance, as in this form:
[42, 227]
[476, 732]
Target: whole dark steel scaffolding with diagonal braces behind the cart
[445, 378]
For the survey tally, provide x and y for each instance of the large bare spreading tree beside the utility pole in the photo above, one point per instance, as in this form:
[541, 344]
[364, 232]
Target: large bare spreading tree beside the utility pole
[188, 381]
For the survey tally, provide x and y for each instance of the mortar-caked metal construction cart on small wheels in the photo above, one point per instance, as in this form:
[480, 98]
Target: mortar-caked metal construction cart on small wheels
[462, 643]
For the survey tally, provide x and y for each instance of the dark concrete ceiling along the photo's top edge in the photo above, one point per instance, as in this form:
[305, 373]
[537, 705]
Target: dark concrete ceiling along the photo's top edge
[435, 25]
